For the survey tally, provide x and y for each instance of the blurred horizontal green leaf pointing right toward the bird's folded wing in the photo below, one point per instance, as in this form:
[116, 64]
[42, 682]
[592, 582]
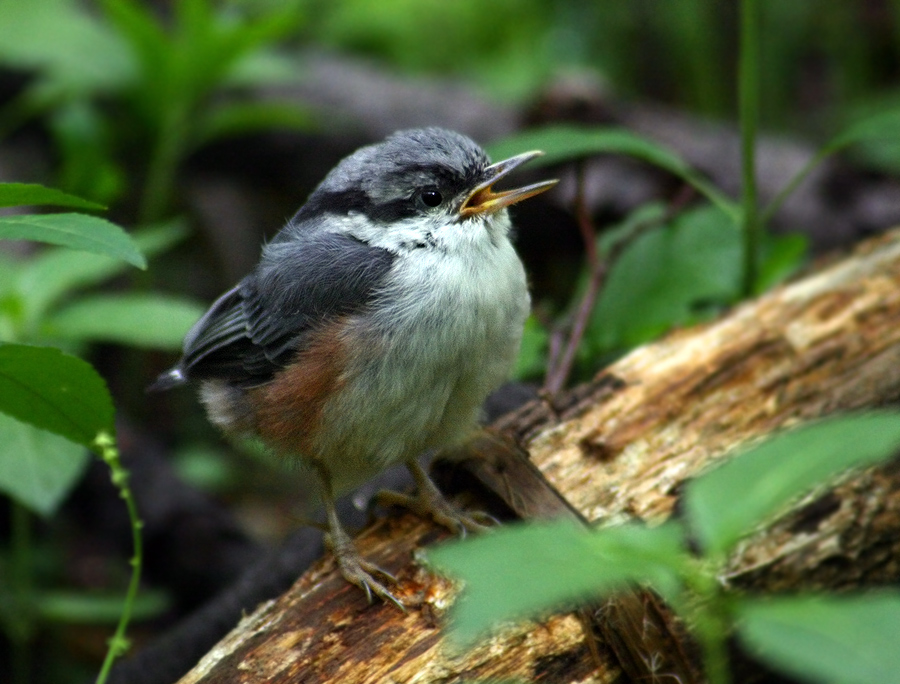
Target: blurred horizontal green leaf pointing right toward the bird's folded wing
[153, 321]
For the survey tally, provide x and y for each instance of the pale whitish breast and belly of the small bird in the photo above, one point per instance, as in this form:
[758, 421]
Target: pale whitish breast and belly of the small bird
[421, 381]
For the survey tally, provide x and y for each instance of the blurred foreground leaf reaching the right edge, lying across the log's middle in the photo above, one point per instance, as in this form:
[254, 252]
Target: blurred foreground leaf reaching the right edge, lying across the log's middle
[729, 502]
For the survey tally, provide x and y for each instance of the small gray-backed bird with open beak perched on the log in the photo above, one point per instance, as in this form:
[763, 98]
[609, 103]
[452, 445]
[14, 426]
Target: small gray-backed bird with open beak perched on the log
[375, 324]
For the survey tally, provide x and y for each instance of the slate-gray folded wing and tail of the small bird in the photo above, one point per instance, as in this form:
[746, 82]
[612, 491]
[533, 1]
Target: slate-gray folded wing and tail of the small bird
[254, 329]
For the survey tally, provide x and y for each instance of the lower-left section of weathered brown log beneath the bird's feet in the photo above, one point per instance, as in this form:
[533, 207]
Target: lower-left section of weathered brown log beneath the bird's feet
[323, 630]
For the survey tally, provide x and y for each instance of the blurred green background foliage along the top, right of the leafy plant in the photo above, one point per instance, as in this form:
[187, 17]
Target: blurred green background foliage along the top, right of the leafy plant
[683, 52]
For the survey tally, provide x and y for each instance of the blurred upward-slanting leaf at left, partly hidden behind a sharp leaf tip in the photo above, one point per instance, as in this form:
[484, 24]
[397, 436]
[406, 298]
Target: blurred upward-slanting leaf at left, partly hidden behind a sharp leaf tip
[56, 272]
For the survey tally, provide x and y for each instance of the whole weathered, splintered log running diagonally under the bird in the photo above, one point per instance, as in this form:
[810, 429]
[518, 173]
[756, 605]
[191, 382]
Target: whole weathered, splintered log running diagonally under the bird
[622, 446]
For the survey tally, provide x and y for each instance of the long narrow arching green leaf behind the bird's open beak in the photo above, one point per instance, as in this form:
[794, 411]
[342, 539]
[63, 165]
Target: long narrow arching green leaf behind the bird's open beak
[567, 143]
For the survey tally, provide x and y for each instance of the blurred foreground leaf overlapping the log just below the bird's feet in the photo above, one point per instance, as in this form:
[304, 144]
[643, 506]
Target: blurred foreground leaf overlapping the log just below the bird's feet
[523, 570]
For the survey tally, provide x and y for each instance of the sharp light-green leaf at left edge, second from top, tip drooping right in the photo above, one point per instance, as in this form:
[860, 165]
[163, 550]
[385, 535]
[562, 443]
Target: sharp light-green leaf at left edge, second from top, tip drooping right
[78, 231]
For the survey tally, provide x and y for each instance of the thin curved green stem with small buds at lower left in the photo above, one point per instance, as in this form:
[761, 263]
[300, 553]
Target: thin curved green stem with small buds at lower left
[118, 644]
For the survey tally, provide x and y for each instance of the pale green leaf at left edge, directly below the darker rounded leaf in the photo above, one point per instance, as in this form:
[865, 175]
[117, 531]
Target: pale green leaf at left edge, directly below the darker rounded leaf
[38, 468]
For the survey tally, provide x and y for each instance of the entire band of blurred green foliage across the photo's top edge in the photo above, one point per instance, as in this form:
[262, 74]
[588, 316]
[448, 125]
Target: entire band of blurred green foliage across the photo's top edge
[124, 85]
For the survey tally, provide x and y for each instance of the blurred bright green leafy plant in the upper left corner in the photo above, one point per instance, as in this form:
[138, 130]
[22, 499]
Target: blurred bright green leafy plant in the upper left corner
[120, 85]
